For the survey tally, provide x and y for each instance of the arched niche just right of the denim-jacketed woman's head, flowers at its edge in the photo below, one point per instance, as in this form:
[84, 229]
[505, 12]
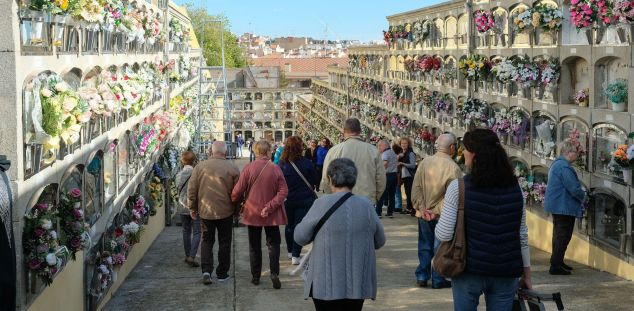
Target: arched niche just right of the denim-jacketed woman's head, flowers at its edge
[606, 138]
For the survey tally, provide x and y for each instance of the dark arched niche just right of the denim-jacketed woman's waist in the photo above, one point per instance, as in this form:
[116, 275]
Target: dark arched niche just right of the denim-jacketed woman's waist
[607, 218]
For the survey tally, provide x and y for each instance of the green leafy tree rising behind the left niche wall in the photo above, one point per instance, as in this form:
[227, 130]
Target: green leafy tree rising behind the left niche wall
[209, 37]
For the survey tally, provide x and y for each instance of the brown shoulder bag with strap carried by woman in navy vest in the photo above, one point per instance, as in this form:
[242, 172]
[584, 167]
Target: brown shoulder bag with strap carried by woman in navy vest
[450, 258]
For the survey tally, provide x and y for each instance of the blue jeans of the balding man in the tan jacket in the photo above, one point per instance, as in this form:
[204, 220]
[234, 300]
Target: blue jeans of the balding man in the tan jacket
[427, 246]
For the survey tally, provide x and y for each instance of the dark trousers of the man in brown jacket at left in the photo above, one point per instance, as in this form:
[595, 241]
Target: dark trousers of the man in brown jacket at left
[225, 230]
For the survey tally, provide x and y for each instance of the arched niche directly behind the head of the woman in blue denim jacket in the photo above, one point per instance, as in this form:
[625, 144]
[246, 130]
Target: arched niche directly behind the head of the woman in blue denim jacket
[578, 132]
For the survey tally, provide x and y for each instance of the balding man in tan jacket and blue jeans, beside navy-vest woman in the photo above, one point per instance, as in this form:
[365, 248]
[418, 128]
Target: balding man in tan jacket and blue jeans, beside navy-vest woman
[430, 184]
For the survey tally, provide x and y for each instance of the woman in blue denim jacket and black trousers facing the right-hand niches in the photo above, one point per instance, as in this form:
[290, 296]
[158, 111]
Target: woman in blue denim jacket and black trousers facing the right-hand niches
[564, 199]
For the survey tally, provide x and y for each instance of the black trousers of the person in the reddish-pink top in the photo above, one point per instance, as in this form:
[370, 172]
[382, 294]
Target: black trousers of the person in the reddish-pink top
[273, 240]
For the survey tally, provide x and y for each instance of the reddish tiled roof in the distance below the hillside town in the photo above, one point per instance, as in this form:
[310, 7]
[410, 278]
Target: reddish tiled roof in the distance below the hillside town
[301, 67]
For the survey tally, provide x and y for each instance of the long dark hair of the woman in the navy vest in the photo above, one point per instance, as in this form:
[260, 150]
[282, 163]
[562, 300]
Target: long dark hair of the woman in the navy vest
[491, 167]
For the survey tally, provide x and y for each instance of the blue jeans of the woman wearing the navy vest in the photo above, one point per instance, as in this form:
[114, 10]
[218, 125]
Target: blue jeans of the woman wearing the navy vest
[498, 292]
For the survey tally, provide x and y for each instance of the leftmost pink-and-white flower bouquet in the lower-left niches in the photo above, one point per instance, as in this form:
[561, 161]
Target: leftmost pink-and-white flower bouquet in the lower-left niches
[42, 251]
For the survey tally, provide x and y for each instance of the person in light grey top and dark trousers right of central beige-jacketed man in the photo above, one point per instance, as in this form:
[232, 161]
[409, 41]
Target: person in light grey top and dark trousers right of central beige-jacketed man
[389, 194]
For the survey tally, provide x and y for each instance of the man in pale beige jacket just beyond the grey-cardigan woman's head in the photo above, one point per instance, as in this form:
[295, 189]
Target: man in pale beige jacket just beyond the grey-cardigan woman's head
[371, 172]
